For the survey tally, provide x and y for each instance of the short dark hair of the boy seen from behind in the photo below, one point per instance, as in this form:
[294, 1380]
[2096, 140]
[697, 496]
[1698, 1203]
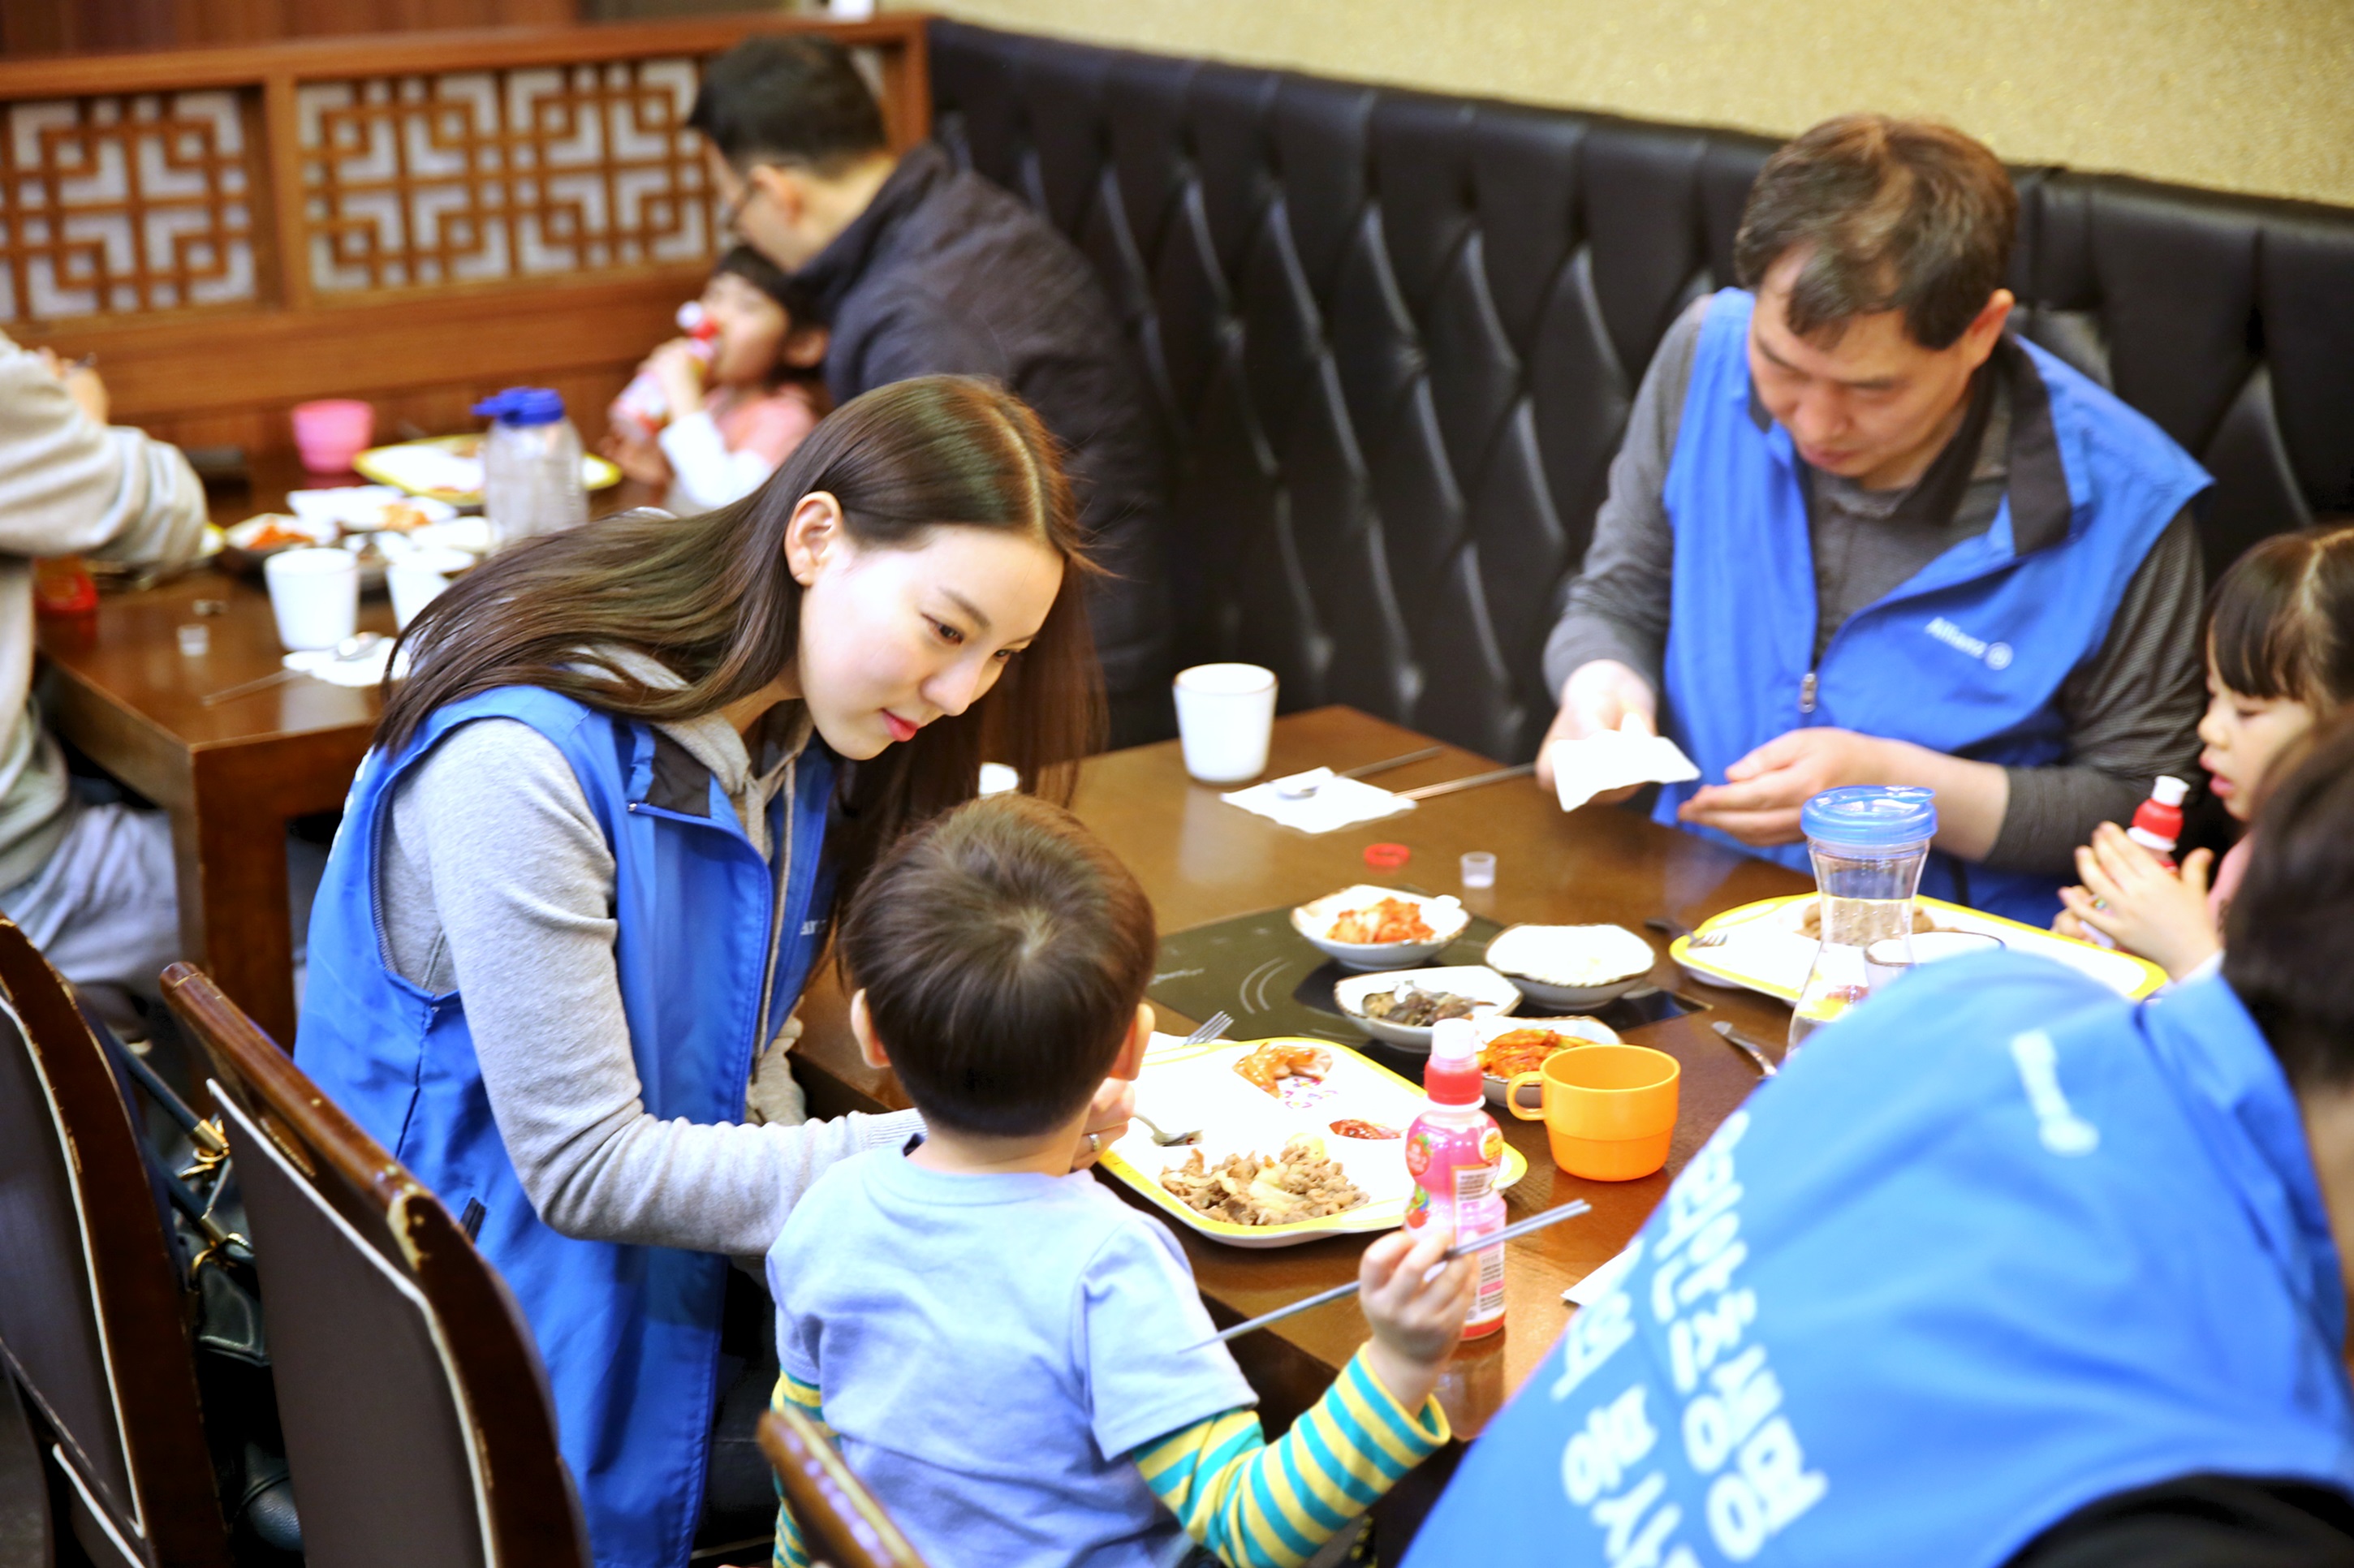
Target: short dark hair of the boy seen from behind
[1004, 952]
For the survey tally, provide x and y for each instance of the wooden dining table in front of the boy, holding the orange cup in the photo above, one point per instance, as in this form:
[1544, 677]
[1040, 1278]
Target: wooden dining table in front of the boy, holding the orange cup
[1206, 861]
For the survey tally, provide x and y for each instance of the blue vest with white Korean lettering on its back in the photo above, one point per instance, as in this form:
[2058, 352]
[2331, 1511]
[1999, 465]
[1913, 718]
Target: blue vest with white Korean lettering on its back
[1995, 1247]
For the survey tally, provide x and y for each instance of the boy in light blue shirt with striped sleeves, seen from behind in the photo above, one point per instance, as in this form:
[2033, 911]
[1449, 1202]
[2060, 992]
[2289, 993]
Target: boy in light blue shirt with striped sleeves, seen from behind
[999, 1343]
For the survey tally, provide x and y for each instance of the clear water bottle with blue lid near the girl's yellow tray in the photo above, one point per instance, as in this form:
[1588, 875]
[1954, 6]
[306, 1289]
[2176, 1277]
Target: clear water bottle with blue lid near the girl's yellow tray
[1868, 844]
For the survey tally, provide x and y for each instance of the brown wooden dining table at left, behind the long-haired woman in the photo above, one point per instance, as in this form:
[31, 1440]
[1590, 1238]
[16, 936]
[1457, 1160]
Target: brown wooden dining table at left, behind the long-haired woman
[232, 776]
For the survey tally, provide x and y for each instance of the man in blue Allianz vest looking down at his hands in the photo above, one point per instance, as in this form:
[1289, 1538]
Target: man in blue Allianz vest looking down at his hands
[1861, 536]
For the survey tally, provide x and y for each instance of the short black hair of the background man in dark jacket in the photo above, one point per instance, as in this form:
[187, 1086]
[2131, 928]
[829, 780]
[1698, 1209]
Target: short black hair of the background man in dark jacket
[787, 100]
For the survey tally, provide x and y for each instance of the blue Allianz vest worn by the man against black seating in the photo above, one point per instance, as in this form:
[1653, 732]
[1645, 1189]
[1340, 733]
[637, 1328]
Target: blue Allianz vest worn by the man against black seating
[1967, 658]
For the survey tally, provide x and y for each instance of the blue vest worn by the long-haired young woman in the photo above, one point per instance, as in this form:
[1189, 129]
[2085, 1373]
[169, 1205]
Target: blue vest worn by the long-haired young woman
[630, 1334]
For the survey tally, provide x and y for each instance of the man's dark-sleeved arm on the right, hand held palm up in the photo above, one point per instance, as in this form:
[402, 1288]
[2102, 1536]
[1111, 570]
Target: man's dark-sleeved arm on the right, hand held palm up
[2132, 715]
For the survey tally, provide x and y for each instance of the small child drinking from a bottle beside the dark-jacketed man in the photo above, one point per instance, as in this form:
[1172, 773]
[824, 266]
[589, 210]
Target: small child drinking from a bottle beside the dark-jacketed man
[747, 408]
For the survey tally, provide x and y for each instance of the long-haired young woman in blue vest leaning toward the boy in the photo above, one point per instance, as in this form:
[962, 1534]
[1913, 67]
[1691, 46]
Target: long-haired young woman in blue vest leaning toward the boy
[594, 856]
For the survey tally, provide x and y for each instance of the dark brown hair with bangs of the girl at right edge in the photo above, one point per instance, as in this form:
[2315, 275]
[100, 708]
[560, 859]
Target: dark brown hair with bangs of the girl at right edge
[2282, 620]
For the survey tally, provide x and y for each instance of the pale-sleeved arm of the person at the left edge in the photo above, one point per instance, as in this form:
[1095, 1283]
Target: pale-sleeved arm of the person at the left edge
[74, 486]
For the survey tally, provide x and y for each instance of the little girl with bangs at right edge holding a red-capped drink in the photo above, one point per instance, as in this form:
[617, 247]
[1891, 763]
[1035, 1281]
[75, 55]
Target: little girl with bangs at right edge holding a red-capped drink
[2280, 663]
